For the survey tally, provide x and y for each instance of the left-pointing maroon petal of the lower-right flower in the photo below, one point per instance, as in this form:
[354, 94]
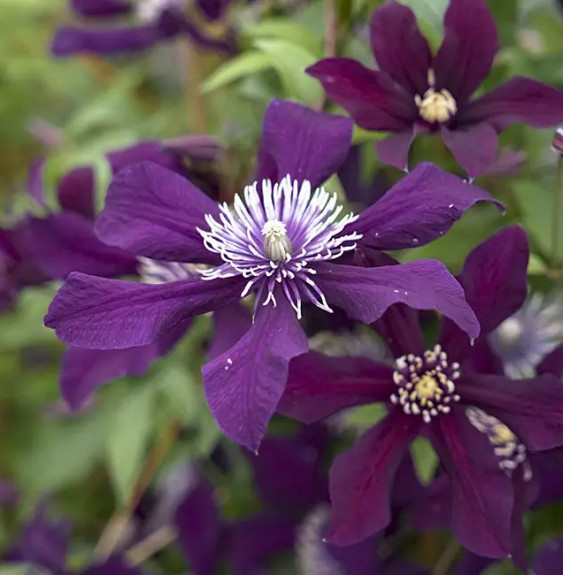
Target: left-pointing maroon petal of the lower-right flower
[319, 385]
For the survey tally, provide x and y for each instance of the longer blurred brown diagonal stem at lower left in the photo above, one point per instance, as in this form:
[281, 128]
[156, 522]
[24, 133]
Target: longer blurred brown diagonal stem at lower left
[117, 527]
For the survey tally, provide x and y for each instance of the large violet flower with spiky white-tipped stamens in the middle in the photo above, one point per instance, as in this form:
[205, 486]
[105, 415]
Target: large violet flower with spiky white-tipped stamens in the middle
[283, 241]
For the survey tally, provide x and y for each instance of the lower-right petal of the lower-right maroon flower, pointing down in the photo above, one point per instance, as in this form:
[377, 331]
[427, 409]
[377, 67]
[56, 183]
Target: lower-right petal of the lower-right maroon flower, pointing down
[482, 495]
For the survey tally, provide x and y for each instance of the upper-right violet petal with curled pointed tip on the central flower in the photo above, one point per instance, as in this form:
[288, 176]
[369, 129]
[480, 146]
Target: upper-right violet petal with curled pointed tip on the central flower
[420, 208]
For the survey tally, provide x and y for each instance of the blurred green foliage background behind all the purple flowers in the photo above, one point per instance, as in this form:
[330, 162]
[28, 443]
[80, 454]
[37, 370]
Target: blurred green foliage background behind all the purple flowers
[72, 111]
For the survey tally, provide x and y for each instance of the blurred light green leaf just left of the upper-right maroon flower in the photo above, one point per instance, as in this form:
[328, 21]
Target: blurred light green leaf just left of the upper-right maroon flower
[290, 61]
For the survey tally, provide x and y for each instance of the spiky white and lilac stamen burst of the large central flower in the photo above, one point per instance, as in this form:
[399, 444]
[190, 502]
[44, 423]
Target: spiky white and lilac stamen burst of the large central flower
[274, 238]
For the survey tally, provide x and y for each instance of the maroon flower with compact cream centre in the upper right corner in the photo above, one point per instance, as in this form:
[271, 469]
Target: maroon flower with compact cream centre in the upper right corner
[414, 92]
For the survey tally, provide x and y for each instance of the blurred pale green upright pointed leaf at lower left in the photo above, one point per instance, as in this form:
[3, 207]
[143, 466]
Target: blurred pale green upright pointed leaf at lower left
[128, 438]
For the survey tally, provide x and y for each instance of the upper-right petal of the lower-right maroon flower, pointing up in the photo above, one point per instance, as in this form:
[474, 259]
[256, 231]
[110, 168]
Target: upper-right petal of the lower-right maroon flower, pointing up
[494, 278]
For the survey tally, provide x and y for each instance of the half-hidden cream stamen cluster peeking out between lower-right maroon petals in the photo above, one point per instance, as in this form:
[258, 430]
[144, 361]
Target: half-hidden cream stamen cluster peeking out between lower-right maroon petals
[510, 451]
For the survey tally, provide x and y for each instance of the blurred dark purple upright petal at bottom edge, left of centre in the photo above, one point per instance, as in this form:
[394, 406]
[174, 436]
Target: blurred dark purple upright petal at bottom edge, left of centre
[199, 529]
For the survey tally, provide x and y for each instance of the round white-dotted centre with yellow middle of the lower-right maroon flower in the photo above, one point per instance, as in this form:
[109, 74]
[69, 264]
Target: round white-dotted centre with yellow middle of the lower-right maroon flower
[425, 383]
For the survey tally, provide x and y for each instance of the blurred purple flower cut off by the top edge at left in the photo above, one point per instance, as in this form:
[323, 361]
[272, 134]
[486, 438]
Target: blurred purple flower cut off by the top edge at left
[158, 20]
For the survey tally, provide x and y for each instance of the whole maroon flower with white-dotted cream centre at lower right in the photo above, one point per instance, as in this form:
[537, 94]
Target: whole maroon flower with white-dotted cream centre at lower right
[481, 425]
